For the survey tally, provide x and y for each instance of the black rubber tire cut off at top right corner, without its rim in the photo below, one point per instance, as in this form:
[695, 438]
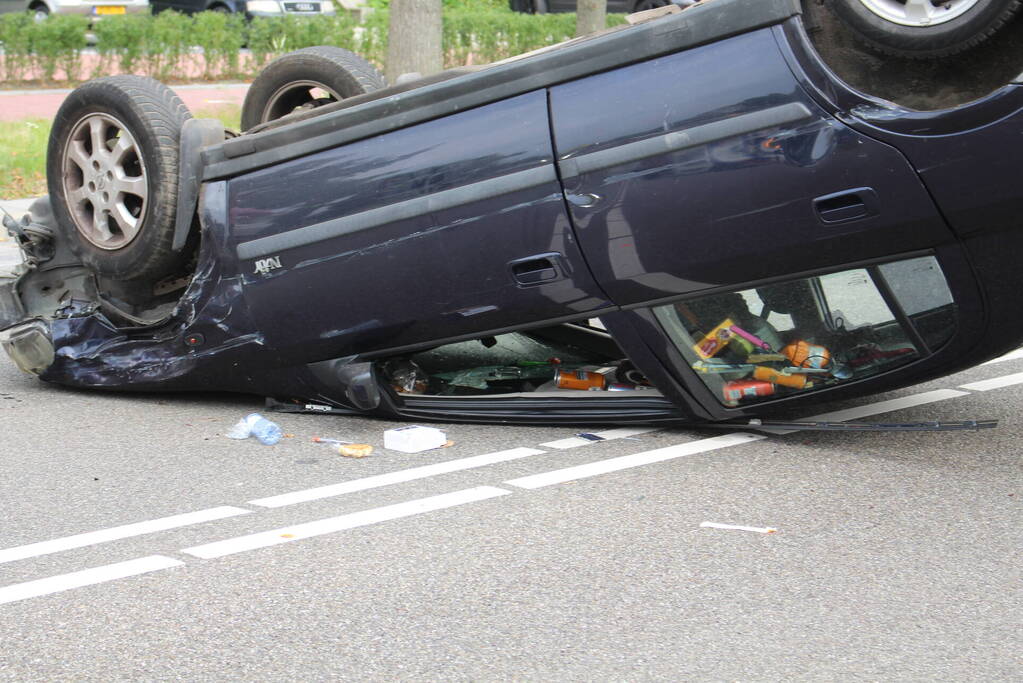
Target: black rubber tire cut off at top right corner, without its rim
[943, 39]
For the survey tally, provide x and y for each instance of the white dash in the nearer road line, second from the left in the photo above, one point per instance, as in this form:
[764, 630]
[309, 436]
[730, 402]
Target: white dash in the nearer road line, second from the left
[330, 526]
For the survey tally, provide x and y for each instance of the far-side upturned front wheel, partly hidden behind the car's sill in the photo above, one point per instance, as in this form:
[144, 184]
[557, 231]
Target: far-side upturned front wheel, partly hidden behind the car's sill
[306, 79]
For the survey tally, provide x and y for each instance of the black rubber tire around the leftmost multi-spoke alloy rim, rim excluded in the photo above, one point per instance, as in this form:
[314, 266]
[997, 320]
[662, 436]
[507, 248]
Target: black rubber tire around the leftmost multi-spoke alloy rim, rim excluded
[149, 257]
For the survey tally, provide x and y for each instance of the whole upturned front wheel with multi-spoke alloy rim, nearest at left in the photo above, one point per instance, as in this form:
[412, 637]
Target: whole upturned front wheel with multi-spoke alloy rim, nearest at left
[112, 169]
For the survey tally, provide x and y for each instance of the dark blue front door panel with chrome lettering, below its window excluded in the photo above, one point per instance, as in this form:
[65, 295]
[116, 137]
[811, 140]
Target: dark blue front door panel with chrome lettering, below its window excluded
[452, 229]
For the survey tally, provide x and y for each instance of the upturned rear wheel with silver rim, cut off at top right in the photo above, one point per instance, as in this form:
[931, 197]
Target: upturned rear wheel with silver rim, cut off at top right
[924, 28]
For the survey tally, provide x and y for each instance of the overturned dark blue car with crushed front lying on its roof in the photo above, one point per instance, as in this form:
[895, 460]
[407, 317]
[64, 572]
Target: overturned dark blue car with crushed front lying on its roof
[690, 219]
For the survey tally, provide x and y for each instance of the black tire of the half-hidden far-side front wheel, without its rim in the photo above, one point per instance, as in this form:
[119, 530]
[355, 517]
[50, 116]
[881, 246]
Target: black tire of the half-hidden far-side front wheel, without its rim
[306, 65]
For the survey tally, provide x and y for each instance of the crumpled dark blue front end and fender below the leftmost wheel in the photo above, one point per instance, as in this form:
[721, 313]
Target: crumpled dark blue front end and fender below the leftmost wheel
[60, 323]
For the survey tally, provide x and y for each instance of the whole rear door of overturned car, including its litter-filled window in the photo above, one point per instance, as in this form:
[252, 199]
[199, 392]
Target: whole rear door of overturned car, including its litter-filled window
[708, 199]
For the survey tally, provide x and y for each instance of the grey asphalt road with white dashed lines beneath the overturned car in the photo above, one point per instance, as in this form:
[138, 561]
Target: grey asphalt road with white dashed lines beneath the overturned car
[897, 556]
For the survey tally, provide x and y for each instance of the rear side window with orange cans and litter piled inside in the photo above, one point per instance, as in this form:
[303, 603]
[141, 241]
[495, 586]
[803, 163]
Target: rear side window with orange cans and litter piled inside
[792, 338]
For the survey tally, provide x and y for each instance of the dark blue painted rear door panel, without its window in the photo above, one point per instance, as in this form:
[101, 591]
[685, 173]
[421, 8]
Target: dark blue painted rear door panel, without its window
[681, 180]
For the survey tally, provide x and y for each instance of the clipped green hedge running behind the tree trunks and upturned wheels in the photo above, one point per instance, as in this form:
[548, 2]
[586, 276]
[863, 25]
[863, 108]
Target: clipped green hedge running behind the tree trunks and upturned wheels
[209, 45]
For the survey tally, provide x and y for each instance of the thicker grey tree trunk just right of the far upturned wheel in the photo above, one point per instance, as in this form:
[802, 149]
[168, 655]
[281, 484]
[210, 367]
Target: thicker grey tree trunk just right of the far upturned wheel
[414, 39]
